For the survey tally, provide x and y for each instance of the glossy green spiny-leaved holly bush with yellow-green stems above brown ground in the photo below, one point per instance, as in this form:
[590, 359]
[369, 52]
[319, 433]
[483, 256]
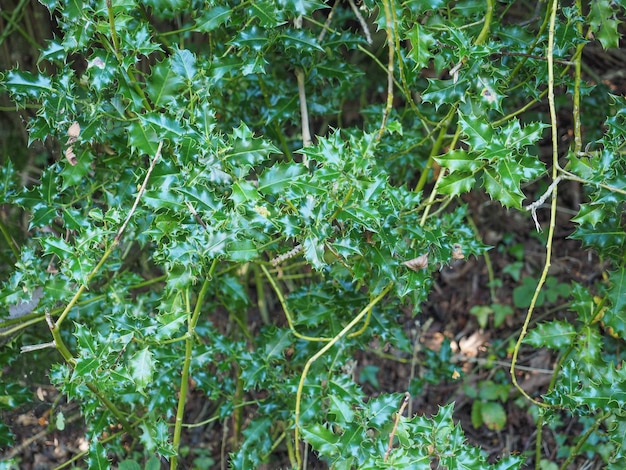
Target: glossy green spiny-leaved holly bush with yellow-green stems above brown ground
[244, 194]
